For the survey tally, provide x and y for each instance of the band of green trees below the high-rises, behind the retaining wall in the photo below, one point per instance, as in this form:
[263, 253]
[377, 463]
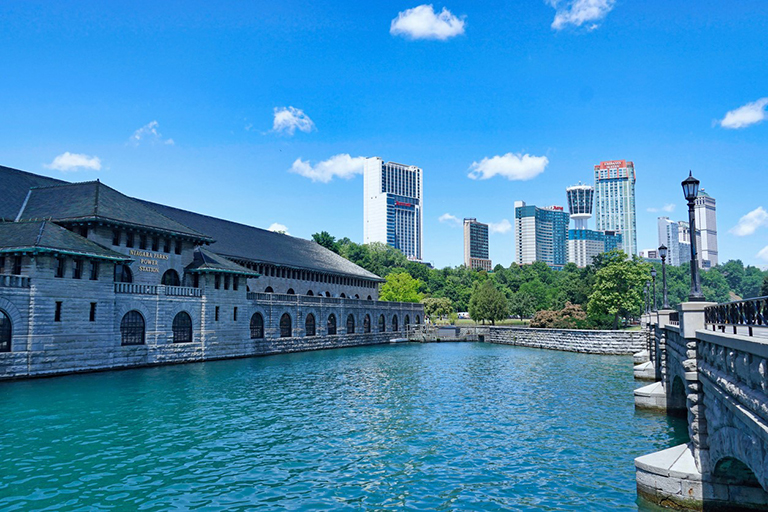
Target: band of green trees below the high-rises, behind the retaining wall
[599, 295]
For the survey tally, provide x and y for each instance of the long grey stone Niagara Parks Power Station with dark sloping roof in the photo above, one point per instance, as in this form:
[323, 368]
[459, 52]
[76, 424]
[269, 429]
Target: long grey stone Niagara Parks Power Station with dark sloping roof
[93, 279]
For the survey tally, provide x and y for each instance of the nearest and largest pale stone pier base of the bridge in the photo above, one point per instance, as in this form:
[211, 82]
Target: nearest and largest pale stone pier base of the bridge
[670, 479]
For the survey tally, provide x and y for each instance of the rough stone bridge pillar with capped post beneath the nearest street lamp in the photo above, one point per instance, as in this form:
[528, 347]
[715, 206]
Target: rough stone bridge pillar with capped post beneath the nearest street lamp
[692, 320]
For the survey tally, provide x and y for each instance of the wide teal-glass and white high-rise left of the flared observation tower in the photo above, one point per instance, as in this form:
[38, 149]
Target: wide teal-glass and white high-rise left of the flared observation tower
[541, 234]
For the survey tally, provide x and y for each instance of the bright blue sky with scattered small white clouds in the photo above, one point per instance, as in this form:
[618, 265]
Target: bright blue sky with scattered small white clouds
[261, 112]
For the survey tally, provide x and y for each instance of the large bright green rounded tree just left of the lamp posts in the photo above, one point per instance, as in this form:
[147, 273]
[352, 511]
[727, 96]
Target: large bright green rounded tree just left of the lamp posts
[618, 287]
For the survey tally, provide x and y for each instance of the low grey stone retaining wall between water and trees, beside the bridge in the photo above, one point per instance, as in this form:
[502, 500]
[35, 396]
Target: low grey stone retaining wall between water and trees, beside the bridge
[569, 340]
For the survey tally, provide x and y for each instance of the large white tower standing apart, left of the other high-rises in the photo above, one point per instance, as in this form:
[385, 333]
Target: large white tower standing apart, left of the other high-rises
[392, 206]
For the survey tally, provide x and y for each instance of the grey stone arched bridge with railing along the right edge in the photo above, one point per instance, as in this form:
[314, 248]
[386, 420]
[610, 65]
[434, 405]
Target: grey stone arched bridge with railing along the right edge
[709, 363]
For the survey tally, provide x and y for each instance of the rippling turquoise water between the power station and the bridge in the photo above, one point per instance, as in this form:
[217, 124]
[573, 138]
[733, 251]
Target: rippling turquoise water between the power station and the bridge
[431, 427]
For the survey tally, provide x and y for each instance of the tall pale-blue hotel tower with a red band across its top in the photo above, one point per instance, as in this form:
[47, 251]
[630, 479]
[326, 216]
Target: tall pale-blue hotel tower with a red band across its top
[615, 201]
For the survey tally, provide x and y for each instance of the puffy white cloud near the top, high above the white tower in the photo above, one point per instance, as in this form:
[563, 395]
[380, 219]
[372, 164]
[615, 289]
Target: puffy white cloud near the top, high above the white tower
[423, 23]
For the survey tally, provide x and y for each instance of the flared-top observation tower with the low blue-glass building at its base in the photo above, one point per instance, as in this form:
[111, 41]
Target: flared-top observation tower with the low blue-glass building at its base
[583, 243]
